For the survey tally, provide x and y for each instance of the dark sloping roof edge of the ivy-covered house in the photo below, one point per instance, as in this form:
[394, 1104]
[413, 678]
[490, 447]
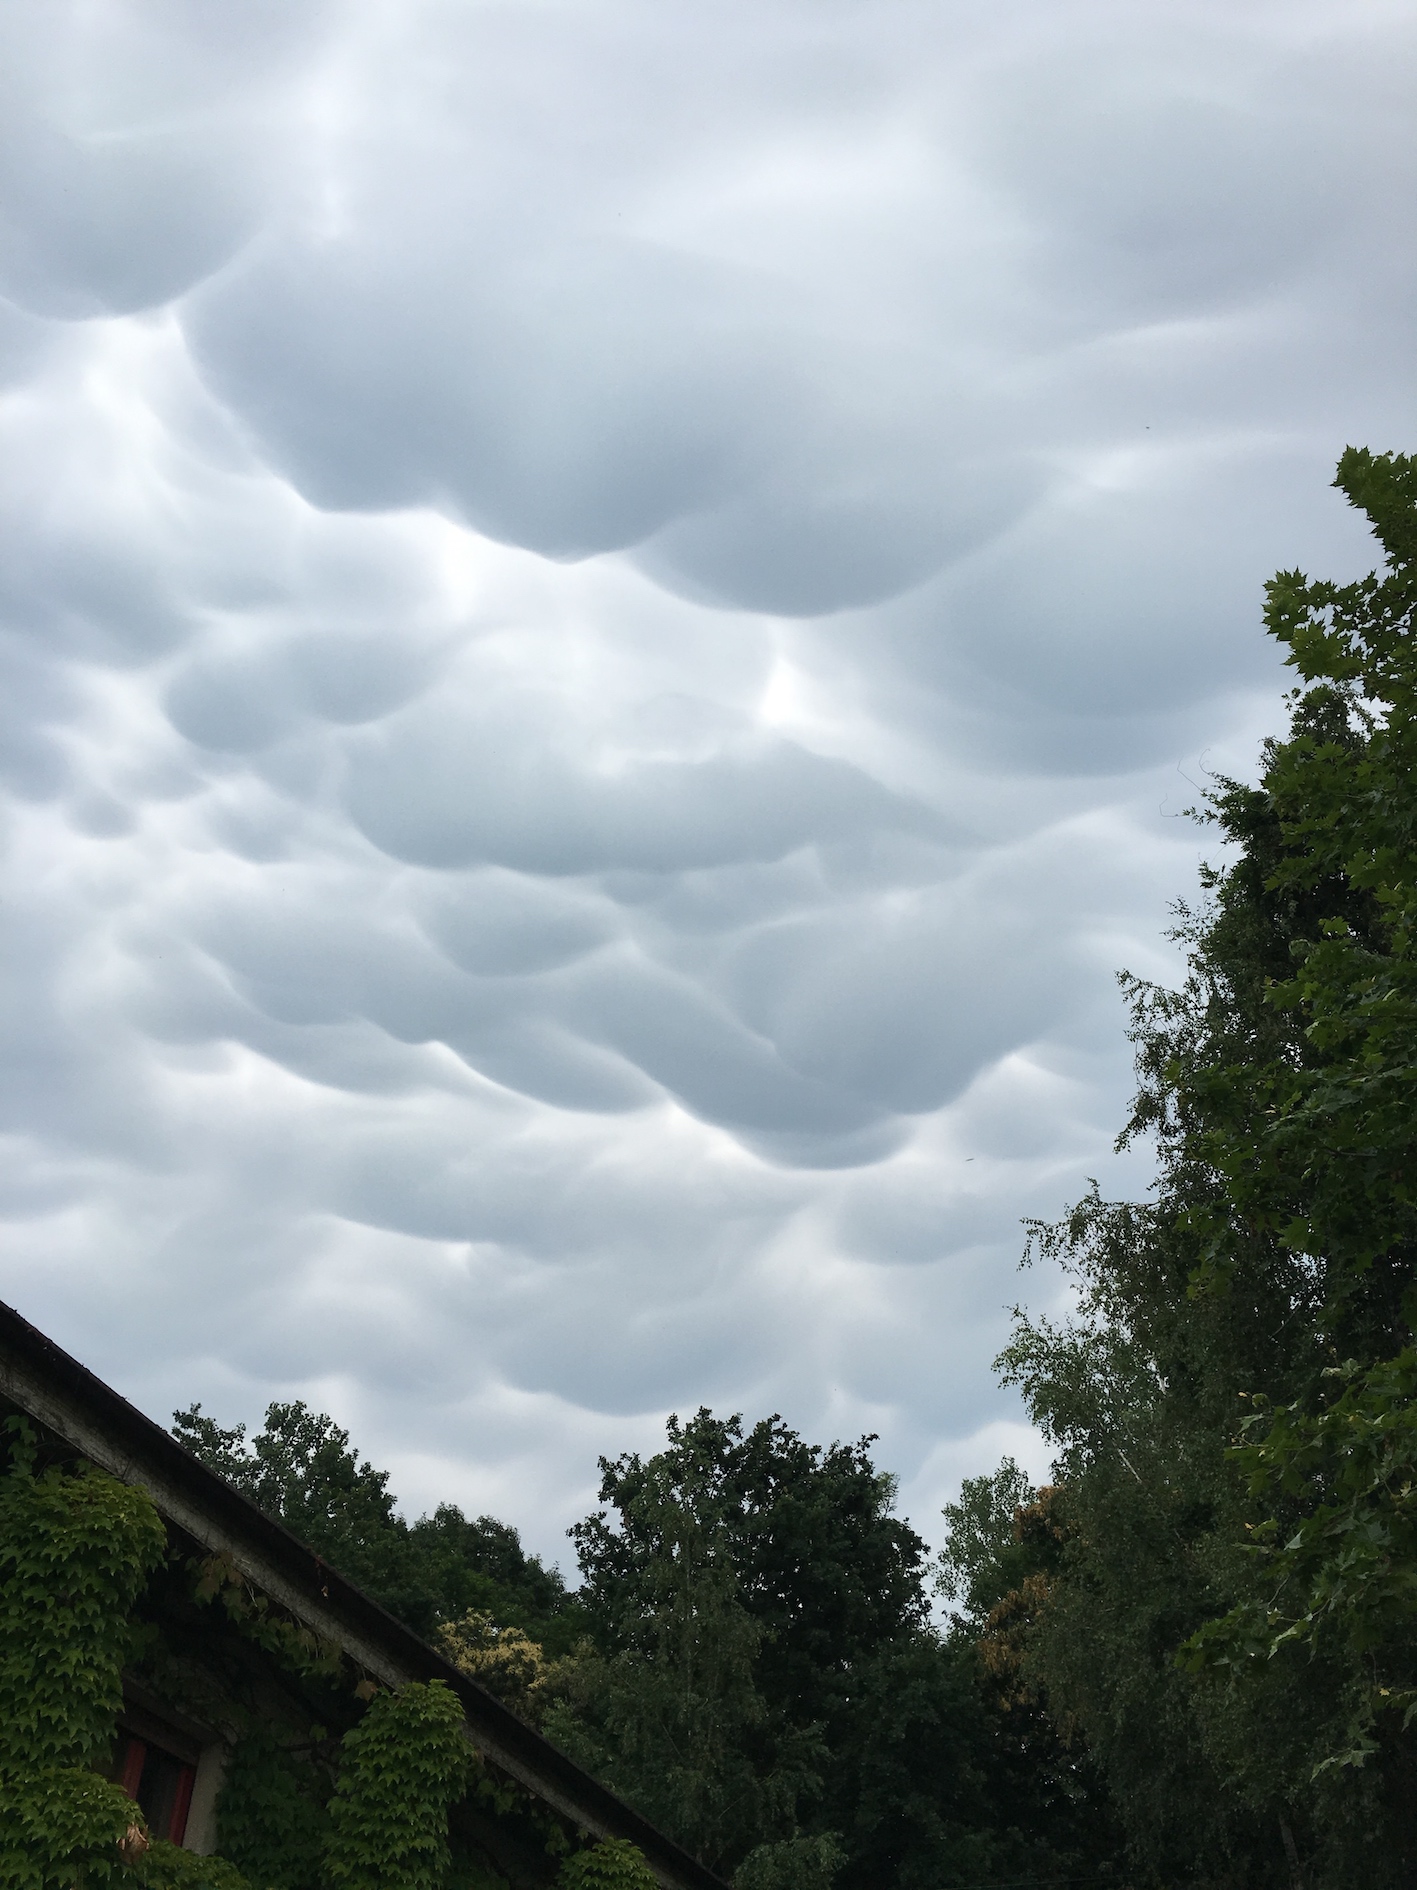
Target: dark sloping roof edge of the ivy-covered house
[61, 1394]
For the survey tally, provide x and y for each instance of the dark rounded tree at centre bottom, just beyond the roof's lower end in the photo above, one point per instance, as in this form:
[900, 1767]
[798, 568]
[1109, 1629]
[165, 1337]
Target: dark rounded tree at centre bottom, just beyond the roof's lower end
[838, 1736]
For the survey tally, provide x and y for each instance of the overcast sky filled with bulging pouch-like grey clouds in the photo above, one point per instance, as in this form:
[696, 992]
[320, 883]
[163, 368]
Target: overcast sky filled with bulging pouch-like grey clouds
[609, 615]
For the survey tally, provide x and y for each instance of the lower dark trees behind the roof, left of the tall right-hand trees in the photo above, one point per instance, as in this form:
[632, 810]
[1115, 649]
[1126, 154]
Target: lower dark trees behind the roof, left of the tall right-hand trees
[749, 1657]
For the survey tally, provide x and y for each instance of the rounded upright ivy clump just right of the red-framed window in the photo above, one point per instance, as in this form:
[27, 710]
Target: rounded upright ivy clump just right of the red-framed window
[401, 1770]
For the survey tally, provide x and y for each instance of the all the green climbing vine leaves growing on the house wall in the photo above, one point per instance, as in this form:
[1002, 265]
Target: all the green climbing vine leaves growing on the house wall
[77, 1553]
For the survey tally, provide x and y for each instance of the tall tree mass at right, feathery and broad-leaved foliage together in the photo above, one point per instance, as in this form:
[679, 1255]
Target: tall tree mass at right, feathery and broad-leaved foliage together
[1233, 1615]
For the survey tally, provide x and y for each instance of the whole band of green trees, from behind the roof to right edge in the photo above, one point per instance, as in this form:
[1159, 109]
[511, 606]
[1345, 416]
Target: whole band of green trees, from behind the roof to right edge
[1191, 1660]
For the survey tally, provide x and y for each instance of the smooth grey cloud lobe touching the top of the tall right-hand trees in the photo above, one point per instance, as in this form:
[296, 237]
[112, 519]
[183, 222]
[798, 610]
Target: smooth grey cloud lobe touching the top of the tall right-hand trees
[1091, 638]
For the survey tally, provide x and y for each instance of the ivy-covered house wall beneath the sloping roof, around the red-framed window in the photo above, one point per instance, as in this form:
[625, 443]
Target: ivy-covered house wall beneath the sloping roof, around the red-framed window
[332, 1783]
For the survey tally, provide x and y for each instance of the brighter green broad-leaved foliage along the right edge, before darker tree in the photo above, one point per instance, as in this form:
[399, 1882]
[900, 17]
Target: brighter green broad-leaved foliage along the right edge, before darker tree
[1323, 1150]
